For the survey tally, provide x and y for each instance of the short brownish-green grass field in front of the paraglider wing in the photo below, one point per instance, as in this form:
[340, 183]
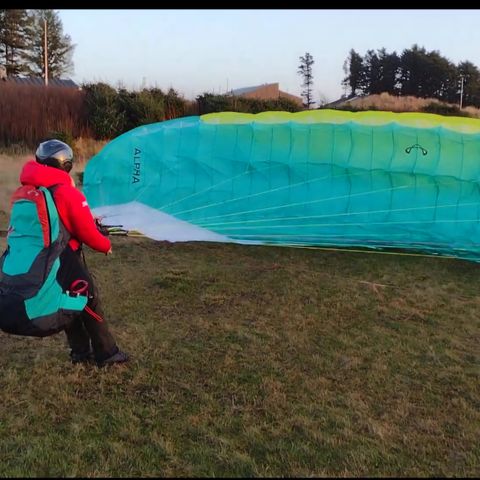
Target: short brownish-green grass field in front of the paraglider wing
[255, 361]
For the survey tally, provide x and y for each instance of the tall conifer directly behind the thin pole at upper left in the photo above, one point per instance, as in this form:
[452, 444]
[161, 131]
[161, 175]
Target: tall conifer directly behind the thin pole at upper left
[59, 45]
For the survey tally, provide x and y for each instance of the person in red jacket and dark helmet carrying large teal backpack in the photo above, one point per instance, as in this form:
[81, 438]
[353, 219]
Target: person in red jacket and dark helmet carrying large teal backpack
[86, 329]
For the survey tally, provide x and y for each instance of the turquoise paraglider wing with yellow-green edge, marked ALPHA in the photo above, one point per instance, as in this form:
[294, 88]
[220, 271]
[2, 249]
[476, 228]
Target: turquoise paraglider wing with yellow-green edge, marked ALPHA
[323, 177]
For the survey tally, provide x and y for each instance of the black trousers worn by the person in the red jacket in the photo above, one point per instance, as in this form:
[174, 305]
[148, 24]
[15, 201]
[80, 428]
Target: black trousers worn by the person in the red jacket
[88, 330]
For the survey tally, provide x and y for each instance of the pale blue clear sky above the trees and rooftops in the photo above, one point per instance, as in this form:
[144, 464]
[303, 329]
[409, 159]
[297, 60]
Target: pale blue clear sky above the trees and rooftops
[213, 50]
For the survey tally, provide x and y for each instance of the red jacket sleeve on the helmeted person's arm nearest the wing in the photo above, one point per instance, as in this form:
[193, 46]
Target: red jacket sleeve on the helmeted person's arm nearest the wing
[82, 222]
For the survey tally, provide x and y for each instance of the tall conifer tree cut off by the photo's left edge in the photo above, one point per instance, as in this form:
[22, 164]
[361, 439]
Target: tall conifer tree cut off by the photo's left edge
[15, 31]
